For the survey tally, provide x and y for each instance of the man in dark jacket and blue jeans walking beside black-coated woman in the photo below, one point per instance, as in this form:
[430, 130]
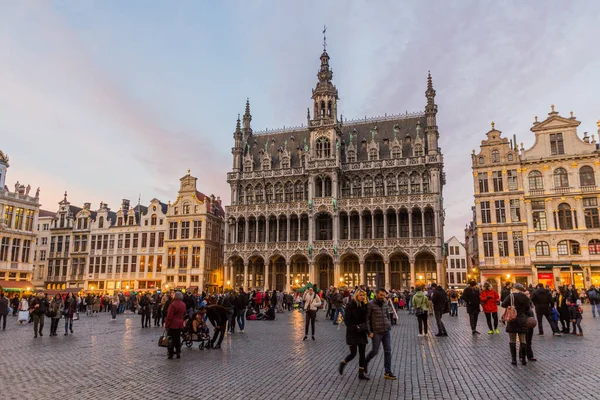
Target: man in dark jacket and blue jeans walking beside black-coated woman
[379, 326]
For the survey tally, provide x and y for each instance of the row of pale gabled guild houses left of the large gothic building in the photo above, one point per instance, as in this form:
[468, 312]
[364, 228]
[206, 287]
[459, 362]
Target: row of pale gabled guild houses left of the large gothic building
[140, 248]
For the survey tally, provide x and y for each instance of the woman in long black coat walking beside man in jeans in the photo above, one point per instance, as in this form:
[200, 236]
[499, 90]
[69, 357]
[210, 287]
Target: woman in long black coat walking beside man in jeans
[356, 332]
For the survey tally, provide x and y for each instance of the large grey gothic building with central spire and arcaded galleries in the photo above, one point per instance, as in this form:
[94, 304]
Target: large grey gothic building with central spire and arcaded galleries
[336, 202]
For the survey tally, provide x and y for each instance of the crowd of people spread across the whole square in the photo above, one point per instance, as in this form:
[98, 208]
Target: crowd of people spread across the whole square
[366, 314]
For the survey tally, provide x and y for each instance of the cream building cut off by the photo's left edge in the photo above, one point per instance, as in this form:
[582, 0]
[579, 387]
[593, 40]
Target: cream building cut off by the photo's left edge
[18, 218]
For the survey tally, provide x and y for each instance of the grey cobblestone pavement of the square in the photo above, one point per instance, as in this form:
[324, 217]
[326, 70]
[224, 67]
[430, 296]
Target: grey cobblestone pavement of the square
[119, 360]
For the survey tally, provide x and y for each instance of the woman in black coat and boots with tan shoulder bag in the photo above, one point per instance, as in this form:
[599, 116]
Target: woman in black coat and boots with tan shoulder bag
[518, 326]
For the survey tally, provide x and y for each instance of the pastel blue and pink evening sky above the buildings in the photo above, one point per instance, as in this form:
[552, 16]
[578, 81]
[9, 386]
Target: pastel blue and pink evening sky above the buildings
[110, 100]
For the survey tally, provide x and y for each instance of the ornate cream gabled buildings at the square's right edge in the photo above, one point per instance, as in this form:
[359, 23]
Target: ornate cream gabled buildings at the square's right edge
[538, 218]
